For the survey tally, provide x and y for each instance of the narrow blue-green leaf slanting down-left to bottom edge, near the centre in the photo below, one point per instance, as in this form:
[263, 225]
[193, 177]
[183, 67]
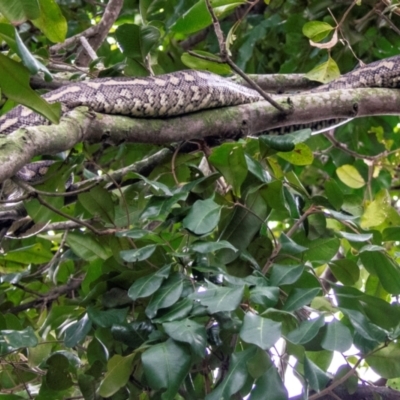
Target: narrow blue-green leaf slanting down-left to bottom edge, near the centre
[236, 376]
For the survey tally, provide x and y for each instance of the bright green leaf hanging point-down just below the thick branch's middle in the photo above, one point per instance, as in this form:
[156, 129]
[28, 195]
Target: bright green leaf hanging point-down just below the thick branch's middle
[229, 159]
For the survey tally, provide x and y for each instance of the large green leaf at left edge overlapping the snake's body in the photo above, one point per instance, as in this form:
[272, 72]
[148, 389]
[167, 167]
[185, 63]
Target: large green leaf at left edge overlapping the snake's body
[14, 82]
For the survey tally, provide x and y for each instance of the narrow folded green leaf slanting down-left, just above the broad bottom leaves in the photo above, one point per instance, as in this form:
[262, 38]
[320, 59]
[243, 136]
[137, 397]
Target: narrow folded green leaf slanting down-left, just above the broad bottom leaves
[166, 296]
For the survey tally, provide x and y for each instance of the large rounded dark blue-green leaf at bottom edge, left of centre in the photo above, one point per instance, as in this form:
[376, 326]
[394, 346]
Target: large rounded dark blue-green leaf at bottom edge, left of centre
[166, 366]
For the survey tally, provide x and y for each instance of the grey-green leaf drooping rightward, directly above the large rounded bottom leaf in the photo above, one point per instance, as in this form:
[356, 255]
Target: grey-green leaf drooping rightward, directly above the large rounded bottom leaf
[190, 332]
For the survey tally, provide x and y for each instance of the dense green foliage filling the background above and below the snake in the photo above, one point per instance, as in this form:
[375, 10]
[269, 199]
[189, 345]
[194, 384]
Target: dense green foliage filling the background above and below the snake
[191, 285]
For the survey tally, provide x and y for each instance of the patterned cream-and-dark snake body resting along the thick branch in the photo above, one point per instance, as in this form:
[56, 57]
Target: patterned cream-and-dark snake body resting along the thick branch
[177, 93]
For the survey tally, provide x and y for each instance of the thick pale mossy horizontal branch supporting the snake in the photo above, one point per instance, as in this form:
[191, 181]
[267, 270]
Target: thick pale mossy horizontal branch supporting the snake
[18, 148]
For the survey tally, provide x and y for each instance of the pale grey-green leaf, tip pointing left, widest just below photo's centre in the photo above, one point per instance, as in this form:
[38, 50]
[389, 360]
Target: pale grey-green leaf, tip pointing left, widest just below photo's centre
[218, 299]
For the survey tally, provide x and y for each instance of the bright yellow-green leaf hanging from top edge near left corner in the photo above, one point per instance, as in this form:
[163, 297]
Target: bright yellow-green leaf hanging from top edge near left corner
[51, 21]
